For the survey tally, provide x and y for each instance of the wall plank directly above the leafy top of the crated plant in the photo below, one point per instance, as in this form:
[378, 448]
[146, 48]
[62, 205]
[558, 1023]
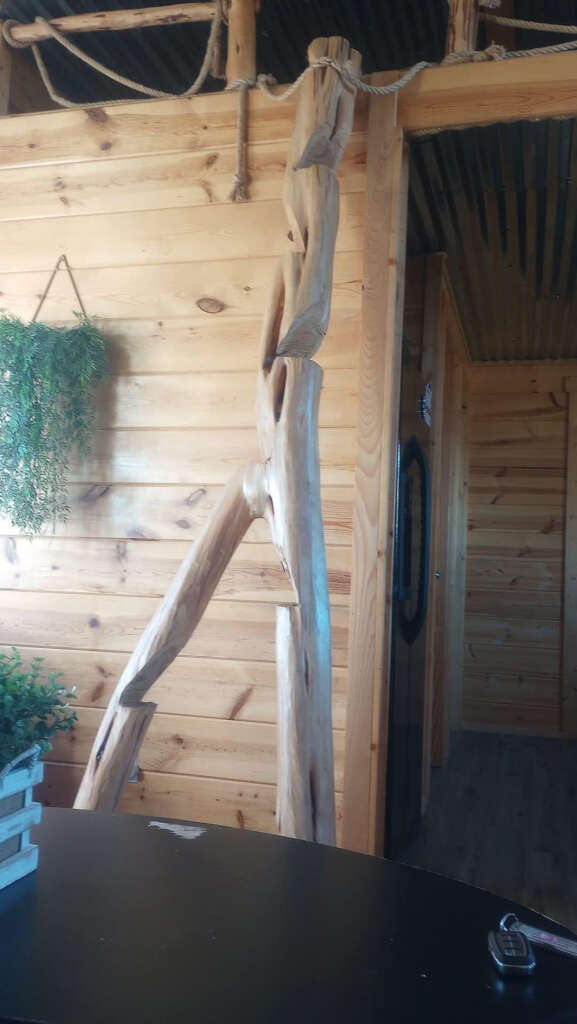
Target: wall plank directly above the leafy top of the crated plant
[230, 630]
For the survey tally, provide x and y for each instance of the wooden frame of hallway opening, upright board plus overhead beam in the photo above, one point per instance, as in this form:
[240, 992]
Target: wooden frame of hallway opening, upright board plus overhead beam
[442, 98]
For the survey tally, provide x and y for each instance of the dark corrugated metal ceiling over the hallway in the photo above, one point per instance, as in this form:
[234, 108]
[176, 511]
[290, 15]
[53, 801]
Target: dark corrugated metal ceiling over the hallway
[502, 201]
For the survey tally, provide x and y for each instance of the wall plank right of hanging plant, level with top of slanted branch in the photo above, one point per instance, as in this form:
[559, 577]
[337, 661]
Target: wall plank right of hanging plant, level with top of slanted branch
[186, 457]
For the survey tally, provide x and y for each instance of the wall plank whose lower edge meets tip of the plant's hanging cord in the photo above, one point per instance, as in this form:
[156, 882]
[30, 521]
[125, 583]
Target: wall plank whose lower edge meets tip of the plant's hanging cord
[238, 231]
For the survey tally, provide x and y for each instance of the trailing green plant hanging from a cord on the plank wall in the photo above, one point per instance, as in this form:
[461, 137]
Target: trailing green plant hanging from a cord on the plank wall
[48, 378]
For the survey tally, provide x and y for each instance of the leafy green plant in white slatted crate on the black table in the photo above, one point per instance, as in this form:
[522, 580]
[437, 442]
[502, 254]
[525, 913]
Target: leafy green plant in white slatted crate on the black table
[32, 712]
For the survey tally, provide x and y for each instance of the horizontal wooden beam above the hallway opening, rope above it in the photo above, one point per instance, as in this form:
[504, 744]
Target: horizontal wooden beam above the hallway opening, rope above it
[487, 93]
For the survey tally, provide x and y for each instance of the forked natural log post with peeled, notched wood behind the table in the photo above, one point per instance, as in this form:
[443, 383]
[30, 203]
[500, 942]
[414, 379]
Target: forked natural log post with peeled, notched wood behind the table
[284, 489]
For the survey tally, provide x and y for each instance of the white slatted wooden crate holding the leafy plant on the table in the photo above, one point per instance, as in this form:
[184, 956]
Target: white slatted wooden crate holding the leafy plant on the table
[18, 815]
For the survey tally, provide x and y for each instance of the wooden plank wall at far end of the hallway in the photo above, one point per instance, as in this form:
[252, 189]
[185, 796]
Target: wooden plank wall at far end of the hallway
[518, 431]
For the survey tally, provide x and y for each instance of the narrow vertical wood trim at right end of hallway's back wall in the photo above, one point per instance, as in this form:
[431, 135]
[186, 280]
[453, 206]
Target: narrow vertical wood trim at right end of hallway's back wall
[569, 647]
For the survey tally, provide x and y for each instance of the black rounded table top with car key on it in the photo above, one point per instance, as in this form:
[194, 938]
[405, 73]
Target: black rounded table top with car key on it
[129, 923]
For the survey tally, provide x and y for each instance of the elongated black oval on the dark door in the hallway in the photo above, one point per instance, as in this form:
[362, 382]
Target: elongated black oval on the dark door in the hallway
[414, 539]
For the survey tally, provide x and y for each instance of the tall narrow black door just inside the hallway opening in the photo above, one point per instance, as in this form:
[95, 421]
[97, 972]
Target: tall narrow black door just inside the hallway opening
[411, 576]
